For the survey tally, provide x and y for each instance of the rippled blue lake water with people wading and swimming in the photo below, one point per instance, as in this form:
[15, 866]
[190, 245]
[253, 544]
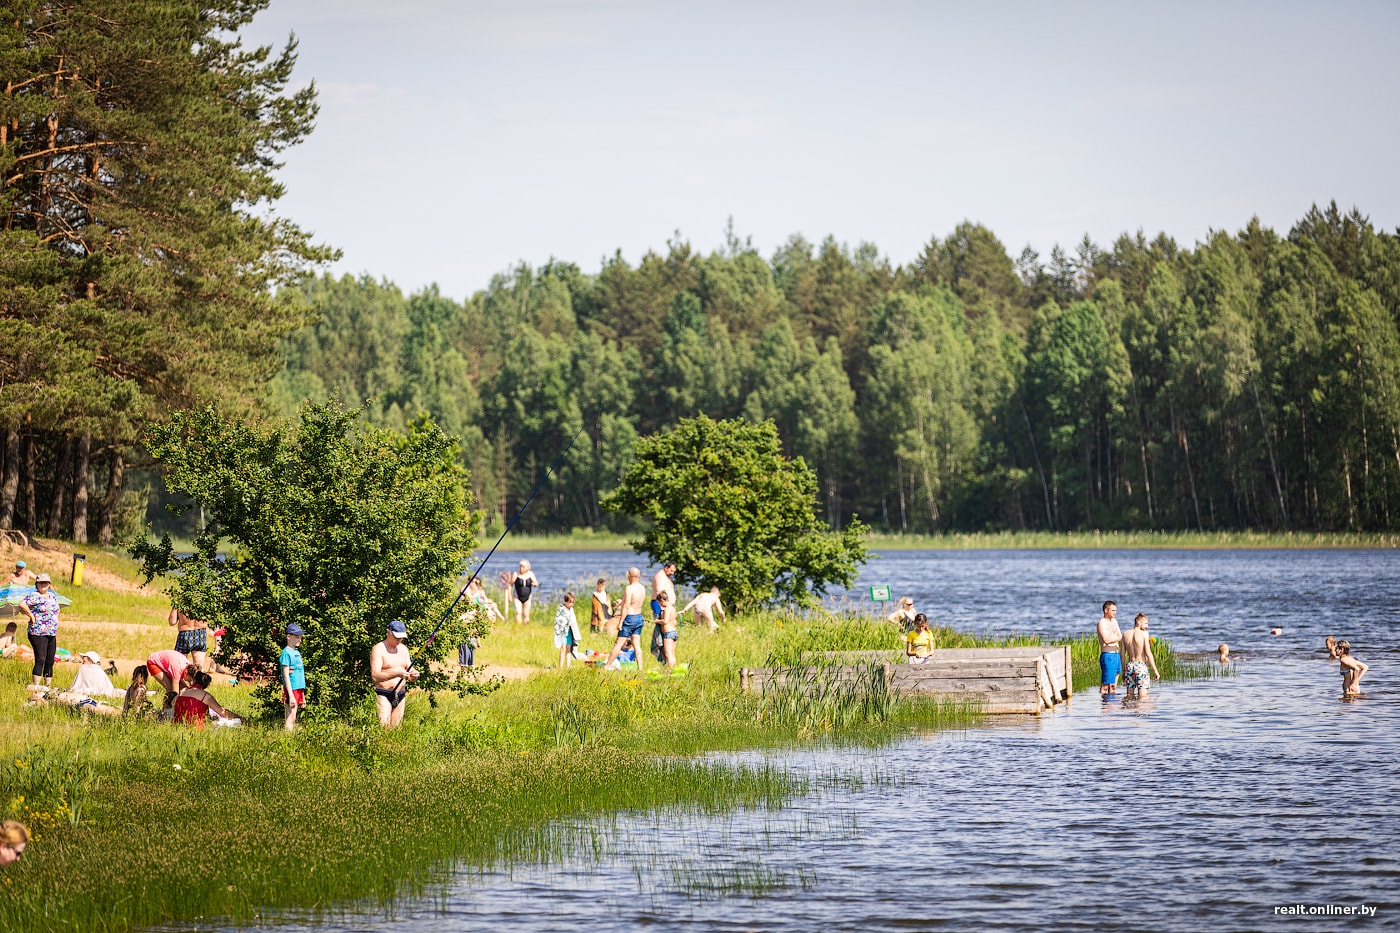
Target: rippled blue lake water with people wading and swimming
[1200, 809]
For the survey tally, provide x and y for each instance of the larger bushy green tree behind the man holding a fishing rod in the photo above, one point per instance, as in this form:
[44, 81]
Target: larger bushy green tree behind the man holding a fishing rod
[335, 526]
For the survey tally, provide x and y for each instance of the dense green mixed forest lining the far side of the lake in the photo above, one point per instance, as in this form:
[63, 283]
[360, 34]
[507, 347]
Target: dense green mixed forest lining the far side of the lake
[1251, 382]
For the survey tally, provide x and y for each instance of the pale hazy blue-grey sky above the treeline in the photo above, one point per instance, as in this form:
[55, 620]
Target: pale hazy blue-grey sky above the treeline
[457, 139]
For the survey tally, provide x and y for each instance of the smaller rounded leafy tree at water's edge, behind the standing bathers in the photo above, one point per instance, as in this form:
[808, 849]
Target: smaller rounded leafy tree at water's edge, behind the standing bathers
[723, 502]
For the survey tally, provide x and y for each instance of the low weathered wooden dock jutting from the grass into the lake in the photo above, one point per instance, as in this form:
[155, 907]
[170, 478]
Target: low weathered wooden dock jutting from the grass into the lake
[1006, 680]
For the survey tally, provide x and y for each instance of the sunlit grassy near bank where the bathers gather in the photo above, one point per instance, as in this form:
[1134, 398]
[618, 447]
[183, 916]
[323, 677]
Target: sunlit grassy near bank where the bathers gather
[141, 823]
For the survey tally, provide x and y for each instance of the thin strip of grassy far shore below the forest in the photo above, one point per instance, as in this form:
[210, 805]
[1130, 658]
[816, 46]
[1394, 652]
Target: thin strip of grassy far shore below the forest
[582, 540]
